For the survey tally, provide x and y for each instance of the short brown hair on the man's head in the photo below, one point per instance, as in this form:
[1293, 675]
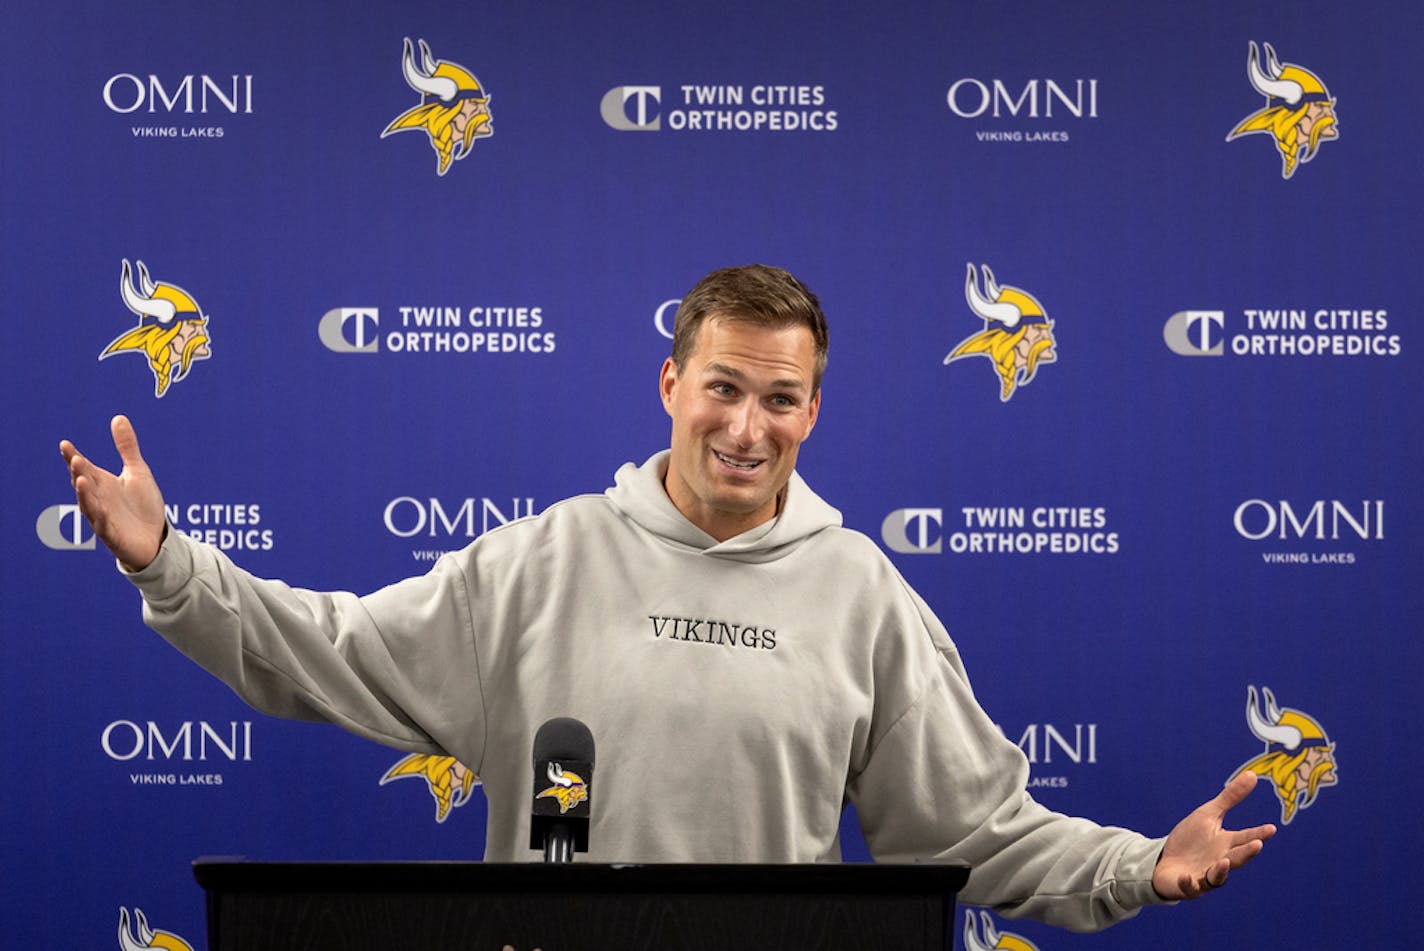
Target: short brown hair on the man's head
[757, 294]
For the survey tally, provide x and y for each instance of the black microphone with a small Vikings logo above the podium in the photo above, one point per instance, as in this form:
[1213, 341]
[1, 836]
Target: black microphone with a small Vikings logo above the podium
[563, 777]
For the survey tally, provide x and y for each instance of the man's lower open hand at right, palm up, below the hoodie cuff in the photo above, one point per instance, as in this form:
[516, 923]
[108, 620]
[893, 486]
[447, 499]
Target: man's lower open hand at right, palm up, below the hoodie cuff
[1200, 855]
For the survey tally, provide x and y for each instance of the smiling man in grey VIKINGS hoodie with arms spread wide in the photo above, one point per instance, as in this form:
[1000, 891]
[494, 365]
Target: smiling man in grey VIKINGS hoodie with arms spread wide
[745, 664]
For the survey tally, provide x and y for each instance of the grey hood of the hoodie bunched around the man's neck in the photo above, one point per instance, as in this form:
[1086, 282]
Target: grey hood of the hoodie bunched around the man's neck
[639, 493]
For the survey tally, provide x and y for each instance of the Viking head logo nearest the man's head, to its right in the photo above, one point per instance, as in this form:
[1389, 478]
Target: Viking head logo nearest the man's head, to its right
[1017, 335]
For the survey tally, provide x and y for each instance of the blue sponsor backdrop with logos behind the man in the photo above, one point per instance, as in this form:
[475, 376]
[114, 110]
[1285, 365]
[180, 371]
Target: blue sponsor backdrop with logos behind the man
[1208, 488]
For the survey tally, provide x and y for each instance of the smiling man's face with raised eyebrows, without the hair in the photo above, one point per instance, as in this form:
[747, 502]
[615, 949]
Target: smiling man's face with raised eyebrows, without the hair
[741, 408]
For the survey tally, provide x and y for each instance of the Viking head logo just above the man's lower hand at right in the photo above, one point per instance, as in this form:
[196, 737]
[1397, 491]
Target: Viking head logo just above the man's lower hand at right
[1299, 758]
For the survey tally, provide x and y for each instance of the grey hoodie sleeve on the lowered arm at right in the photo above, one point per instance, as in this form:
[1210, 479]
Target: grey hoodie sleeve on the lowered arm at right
[945, 785]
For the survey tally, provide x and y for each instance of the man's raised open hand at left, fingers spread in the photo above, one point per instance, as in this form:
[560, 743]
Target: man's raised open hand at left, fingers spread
[126, 510]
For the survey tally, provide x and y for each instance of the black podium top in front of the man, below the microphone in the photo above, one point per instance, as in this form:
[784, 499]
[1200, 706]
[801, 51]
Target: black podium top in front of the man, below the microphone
[576, 908]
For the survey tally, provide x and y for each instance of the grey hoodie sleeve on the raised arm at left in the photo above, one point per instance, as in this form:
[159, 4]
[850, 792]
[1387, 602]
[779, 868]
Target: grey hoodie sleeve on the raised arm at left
[397, 667]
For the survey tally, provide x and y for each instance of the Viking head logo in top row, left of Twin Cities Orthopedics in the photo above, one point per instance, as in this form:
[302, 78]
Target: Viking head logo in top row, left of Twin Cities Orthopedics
[454, 112]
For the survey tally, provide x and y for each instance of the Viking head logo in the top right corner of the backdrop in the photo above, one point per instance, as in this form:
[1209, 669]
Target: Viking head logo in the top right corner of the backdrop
[1299, 112]
